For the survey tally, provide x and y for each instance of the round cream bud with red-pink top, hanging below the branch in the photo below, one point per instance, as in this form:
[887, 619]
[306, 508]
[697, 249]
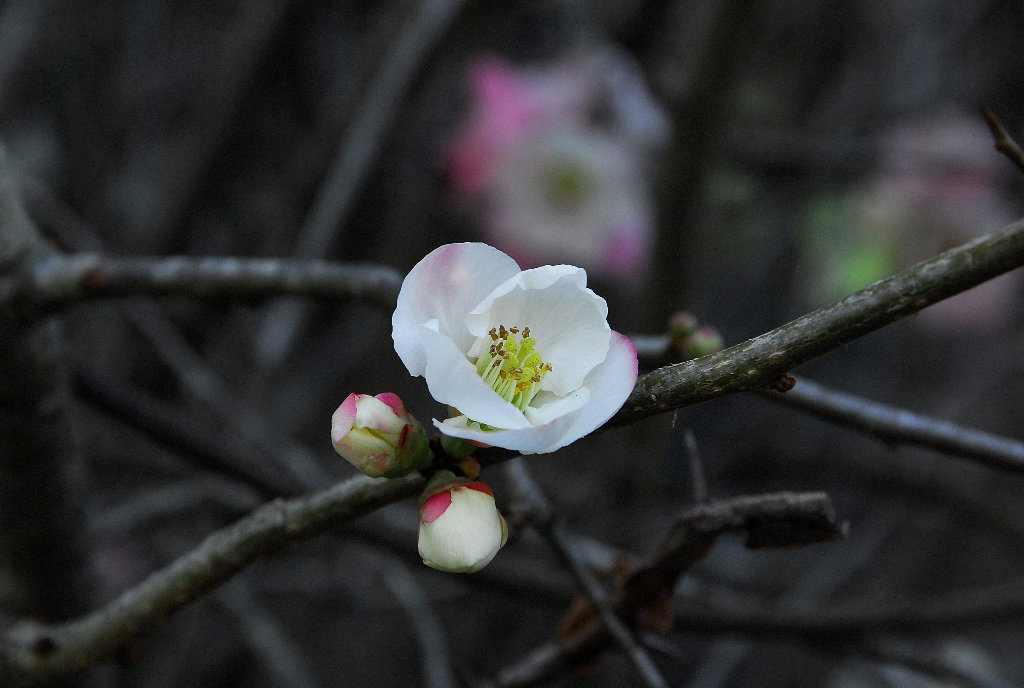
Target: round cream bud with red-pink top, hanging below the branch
[461, 530]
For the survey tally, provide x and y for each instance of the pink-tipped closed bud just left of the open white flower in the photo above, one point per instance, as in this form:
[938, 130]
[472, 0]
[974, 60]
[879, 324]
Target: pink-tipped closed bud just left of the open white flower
[376, 436]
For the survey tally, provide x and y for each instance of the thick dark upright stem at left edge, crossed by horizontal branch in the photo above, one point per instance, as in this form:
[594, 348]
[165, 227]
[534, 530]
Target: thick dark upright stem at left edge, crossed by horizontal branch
[44, 531]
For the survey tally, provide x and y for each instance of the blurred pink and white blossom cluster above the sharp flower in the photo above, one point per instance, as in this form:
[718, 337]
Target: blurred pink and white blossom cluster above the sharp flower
[554, 161]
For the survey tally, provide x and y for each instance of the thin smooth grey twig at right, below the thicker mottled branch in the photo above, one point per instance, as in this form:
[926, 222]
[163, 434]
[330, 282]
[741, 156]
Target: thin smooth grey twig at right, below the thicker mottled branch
[899, 425]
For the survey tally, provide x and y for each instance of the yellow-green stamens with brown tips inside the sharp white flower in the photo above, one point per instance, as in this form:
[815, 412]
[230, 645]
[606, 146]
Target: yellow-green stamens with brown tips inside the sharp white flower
[513, 367]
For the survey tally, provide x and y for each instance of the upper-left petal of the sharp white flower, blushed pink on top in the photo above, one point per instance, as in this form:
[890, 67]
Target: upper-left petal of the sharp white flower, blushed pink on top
[449, 283]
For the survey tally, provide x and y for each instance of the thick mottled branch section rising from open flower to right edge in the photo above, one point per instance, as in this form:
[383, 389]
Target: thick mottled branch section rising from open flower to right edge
[760, 362]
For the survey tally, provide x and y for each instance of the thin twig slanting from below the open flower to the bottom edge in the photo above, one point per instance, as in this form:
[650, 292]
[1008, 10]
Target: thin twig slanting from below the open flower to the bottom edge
[542, 518]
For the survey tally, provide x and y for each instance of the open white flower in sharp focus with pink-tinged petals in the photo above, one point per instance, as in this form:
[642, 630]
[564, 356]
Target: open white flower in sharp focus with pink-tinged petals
[525, 358]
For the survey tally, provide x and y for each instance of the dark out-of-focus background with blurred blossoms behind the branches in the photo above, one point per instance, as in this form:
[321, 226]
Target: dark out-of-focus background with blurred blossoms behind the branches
[757, 160]
